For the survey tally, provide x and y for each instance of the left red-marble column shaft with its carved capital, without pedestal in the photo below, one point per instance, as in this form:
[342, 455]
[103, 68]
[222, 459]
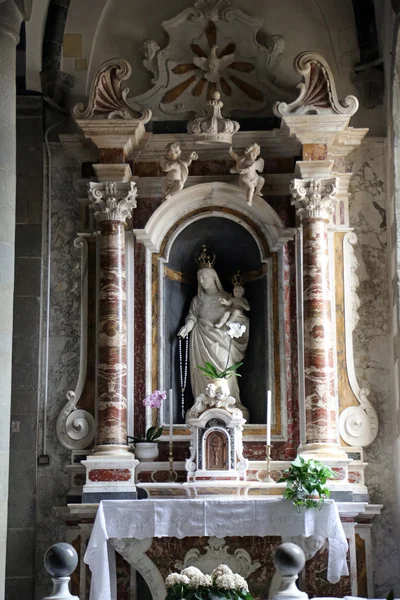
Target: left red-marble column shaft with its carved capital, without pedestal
[112, 203]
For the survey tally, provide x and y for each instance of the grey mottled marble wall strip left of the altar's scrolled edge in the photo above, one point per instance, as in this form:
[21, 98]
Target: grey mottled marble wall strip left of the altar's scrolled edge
[53, 479]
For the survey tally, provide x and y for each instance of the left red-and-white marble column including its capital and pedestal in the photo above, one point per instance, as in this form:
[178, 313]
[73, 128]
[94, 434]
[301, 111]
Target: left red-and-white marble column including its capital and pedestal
[110, 470]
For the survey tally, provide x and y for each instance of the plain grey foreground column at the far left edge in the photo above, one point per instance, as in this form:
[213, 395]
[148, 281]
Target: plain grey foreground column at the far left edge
[11, 16]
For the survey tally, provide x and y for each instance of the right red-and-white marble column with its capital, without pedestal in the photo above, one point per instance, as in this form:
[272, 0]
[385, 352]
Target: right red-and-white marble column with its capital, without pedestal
[315, 200]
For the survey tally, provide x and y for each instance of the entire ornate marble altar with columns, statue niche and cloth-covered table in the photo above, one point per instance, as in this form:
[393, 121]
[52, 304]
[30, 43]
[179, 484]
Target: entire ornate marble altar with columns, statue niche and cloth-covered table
[218, 304]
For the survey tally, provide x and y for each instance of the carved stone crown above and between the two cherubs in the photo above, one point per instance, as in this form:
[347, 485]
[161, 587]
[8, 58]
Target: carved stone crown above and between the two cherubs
[213, 127]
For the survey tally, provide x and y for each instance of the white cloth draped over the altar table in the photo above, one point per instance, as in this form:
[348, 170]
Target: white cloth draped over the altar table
[180, 518]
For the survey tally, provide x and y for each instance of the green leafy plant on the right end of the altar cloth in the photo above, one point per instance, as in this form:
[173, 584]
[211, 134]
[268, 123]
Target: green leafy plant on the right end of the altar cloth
[305, 483]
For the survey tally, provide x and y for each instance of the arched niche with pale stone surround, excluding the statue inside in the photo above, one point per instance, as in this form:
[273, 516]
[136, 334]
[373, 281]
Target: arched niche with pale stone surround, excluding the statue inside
[243, 237]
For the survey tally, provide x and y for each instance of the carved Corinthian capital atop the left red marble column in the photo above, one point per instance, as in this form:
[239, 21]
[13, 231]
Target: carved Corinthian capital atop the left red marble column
[112, 201]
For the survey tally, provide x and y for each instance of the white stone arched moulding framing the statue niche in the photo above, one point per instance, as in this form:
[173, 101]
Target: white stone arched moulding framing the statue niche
[216, 196]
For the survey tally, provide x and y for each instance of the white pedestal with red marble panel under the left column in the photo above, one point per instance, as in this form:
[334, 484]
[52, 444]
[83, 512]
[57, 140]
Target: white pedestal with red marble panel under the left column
[109, 477]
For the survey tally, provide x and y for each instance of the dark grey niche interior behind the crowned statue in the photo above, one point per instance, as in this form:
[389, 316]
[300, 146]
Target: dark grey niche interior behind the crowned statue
[235, 249]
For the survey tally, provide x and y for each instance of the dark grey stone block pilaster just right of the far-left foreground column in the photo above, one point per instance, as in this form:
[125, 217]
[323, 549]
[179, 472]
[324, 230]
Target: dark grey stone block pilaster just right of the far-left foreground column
[21, 532]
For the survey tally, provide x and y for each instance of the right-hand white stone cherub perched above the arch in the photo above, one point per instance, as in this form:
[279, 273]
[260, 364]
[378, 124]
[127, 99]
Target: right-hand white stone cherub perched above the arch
[247, 167]
